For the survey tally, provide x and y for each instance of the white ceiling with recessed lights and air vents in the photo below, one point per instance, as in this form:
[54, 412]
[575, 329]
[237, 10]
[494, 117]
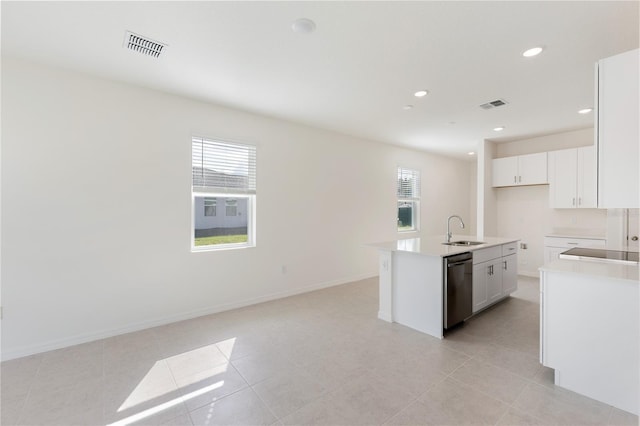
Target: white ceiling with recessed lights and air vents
[358, 69]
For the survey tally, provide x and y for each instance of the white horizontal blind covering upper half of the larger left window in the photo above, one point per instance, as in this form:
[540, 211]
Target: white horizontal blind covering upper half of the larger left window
[225, 167]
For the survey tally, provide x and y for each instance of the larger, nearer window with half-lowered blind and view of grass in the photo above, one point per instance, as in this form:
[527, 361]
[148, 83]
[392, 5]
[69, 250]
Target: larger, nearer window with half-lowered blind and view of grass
[223, 174]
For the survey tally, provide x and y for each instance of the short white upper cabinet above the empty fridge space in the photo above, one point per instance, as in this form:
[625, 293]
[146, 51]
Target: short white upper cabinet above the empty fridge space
[528, 169]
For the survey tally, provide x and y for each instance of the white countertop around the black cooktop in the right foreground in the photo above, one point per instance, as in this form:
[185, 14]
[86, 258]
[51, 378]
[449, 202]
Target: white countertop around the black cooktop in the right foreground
[594, 268]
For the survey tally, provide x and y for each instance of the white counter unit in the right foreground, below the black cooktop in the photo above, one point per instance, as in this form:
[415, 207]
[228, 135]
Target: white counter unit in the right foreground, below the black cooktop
[589, 329]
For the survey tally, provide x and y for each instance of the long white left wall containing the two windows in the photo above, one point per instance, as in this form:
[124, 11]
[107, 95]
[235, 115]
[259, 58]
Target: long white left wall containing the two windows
[85, 256]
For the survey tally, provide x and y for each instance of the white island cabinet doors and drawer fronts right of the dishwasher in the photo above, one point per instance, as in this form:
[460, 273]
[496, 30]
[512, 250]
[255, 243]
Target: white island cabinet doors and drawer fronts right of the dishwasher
[495, 274]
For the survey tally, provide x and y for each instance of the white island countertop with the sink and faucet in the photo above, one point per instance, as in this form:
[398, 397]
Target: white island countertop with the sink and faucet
[432, 245]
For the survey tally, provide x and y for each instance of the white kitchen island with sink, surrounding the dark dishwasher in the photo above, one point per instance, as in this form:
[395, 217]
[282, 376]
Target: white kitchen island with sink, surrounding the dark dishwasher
[412, 271]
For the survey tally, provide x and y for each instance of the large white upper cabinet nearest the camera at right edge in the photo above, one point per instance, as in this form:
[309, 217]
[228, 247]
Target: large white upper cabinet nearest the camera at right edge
[617, 130]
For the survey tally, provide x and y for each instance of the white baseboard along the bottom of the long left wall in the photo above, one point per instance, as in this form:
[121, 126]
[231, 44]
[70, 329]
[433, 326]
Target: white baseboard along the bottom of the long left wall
[90, 337]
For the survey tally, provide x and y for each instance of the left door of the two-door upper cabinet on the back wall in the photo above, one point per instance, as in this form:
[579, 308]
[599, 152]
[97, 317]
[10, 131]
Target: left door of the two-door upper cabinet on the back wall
[563, 184]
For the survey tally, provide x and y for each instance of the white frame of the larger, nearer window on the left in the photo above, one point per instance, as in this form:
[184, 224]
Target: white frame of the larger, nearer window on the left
[225, 193]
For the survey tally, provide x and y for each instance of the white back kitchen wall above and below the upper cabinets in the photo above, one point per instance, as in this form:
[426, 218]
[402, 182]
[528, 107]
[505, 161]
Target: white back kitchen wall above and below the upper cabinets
[523, 212]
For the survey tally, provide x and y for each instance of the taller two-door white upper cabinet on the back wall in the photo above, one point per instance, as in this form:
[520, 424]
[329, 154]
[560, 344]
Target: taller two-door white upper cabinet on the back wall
[572, 178]
